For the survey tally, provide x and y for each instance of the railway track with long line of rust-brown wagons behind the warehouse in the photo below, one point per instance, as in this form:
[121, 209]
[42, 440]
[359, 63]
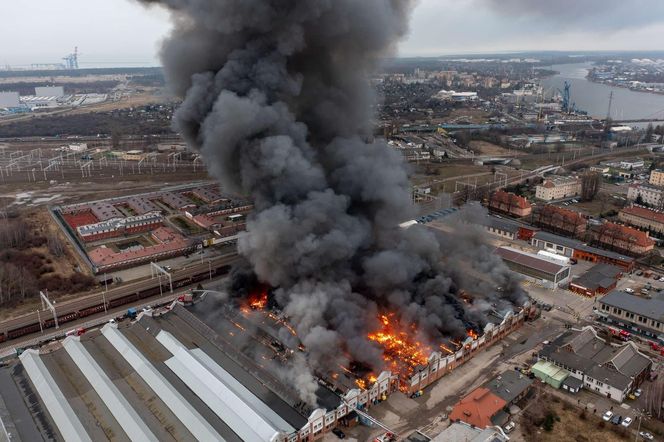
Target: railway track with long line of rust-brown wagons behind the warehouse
[105, 300]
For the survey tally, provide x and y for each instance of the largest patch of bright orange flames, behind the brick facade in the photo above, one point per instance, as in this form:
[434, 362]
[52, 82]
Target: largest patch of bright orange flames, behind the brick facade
[401, 350]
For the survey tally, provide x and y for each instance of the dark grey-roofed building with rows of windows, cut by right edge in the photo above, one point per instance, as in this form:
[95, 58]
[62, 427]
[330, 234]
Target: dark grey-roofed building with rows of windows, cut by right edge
[641, 315]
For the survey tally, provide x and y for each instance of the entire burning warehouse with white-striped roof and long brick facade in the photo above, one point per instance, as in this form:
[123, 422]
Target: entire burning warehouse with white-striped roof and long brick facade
[188, 374]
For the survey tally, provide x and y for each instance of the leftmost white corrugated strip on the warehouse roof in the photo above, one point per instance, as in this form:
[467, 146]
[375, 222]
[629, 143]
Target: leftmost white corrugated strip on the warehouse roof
[63, 415]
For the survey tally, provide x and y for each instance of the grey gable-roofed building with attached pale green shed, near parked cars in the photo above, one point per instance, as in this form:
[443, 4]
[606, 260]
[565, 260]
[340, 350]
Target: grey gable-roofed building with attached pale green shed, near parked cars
[612, 371]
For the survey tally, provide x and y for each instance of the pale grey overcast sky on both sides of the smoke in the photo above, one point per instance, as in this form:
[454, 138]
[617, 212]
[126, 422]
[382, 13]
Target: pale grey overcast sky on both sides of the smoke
[121, 32]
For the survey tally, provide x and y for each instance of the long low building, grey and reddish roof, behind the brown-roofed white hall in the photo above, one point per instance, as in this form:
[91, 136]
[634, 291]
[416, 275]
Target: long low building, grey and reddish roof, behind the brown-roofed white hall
[577, 250]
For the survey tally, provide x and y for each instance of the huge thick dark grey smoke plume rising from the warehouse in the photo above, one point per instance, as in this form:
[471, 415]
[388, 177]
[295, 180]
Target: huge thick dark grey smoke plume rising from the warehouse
[277, 99]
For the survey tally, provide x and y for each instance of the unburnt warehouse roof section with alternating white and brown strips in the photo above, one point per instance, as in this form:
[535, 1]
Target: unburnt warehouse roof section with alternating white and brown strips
[163, 377]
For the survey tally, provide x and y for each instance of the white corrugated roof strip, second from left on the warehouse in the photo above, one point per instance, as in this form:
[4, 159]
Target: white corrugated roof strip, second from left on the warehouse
[119, 407]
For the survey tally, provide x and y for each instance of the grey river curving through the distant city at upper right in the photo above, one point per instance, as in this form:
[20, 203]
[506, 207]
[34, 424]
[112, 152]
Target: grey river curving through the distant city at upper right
[594, 97]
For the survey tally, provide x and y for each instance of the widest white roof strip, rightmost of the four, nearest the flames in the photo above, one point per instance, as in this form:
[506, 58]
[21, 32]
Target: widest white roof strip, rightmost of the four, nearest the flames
[231, 407]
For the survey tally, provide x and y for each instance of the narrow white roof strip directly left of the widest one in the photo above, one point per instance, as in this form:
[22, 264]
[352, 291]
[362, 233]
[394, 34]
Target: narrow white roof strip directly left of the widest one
[187, 414]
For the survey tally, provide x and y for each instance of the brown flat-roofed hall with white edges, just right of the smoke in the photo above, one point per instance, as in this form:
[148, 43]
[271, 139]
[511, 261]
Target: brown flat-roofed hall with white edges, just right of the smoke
[537, 269]
